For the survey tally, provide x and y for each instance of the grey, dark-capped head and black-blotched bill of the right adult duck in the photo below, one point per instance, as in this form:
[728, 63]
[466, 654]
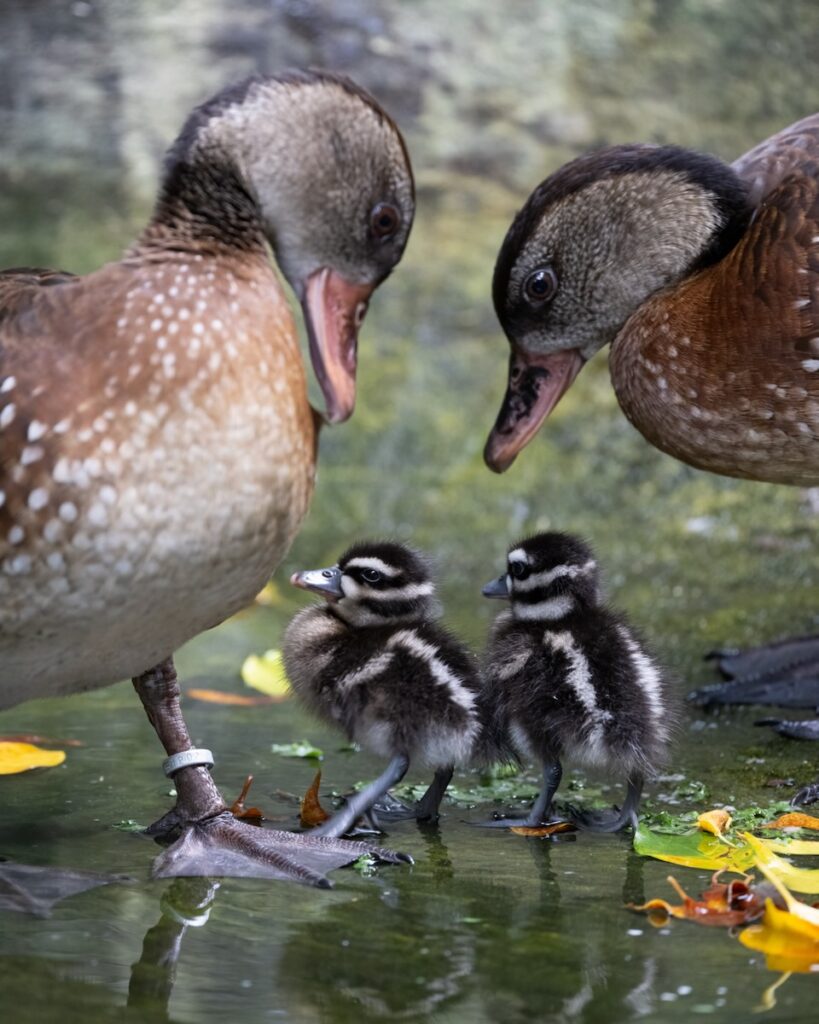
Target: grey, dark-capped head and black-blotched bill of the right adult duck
[593, 242]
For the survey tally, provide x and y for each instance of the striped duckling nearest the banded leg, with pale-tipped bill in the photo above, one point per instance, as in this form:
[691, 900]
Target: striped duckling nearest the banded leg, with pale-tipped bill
[374, 662]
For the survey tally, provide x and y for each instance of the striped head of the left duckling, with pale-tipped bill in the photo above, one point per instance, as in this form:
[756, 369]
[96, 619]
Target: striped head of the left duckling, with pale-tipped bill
[375, 583]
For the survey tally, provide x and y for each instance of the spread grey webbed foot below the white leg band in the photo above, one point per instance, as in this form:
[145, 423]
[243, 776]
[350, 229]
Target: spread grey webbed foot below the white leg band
[224, 846]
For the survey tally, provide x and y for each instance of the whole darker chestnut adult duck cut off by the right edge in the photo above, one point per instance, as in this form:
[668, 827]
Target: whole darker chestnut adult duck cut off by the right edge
[705, 279]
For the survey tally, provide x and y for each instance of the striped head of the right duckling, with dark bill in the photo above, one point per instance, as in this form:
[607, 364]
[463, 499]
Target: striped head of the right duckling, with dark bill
[548, 576]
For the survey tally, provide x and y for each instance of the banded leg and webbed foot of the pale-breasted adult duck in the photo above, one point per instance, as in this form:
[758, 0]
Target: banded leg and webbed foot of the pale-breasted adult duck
[212, 841]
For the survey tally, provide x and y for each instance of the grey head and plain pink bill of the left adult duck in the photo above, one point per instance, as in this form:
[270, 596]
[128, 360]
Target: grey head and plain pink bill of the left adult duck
[324, 172]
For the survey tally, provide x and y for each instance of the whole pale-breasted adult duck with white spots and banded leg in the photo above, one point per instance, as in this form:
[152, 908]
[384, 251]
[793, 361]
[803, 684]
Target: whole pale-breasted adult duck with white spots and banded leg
[157, 447]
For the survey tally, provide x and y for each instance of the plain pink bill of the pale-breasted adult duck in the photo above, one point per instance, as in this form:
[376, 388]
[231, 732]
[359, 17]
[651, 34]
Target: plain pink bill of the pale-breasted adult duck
[334, 310]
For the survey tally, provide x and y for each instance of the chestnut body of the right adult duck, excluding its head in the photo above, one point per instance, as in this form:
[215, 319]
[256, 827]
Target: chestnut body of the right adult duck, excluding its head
[743, 398]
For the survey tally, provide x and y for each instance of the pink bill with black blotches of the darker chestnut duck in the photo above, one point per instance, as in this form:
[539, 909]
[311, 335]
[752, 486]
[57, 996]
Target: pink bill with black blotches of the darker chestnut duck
[537, 382]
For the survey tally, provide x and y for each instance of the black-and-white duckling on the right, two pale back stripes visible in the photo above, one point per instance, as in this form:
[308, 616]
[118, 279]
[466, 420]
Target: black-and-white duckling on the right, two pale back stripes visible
[567, 677]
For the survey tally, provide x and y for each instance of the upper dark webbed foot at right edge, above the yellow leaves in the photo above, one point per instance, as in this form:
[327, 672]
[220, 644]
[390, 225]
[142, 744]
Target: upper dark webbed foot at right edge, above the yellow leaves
[785, 674]
